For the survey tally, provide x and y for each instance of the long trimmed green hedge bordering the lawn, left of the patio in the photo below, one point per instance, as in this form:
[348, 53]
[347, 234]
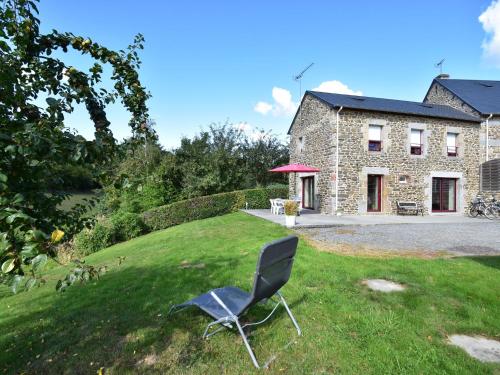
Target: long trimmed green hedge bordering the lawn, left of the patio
[209, 206]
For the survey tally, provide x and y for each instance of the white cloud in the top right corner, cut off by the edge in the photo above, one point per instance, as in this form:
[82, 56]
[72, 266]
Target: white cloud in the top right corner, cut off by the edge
[490, 19]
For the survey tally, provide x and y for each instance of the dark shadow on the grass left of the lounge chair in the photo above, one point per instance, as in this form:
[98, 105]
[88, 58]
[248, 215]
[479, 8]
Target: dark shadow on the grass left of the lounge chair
[111, 322]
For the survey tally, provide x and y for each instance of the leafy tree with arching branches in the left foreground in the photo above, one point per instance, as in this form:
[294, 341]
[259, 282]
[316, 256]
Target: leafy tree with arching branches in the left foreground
[34, 140]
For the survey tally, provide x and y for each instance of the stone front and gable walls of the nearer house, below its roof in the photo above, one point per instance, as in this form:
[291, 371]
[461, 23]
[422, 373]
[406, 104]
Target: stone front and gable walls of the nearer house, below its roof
[406, 177]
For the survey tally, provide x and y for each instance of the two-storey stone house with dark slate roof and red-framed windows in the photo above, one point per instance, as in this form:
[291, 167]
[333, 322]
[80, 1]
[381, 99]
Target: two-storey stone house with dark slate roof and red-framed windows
[373, 152]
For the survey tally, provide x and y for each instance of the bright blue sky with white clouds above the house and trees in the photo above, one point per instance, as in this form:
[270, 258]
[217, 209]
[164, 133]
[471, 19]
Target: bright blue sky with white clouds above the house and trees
[214, 61]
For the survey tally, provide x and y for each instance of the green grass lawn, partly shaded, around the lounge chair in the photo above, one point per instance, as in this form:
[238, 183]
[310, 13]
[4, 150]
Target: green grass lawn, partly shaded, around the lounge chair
[120, 323]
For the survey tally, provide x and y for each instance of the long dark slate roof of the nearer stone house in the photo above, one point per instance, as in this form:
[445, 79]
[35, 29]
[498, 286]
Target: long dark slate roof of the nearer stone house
[392, 106]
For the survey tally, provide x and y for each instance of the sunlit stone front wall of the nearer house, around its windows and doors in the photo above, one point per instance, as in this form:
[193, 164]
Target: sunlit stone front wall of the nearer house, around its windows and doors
[395, 160]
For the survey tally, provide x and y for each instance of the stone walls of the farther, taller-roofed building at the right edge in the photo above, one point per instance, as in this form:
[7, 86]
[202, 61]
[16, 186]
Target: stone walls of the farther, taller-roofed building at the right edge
[440, 95]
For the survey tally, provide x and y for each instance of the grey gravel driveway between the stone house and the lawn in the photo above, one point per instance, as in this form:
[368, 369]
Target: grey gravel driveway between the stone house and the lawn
[459, 239]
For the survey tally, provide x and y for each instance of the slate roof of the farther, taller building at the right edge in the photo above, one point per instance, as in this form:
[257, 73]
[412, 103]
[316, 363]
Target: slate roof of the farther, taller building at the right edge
[483, 96]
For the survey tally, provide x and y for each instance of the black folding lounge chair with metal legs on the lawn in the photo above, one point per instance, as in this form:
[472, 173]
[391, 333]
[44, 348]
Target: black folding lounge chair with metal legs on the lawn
[226, 305]
